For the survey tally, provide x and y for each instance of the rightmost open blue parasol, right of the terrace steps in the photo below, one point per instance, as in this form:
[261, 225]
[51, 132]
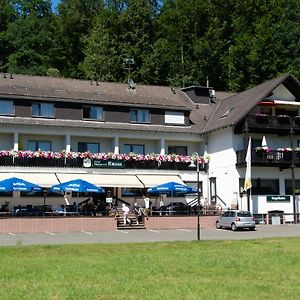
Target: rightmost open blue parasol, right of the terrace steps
[172, 188]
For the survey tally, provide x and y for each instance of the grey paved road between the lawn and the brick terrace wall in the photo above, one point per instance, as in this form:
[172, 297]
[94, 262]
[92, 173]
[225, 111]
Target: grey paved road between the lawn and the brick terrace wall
[136, 236]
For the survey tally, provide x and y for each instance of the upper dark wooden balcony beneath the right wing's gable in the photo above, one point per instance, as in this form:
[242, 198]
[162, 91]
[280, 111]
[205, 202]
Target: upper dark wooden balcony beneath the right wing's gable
[280, 124]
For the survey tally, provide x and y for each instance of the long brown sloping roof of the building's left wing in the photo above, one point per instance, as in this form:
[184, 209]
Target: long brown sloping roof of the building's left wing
[92, 92]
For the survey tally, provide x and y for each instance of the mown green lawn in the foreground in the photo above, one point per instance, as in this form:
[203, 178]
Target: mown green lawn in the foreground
[252, 269]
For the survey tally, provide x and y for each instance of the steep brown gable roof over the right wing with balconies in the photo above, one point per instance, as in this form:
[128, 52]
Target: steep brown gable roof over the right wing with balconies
[231, 110]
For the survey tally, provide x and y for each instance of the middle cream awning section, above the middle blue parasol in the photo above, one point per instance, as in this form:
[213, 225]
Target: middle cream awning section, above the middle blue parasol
[104, 180]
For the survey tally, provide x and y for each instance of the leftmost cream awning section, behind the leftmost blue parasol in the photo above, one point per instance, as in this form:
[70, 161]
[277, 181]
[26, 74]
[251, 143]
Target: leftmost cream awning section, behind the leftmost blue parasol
[42, 179]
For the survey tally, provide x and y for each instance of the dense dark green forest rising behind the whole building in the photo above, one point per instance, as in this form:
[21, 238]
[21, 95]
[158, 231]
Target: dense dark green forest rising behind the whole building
[234, 43]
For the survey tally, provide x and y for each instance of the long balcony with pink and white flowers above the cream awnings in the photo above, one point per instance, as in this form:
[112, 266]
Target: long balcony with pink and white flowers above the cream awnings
[61, 160]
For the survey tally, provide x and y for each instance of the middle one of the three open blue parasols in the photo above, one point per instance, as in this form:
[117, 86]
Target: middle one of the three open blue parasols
[77, 185]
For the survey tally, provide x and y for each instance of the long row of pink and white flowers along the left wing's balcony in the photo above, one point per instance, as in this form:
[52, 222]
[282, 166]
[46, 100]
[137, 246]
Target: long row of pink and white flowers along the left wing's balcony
[103, 156]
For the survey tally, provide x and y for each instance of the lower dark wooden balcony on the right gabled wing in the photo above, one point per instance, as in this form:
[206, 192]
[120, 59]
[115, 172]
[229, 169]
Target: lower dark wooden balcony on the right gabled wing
[281, 159]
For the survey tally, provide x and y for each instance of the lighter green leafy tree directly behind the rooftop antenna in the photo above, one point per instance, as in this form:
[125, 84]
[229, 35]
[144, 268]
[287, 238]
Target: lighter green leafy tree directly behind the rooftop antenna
[123, 31]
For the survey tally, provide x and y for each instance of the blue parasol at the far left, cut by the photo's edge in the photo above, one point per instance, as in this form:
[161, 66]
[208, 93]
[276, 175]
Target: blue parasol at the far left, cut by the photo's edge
[18, 184]
